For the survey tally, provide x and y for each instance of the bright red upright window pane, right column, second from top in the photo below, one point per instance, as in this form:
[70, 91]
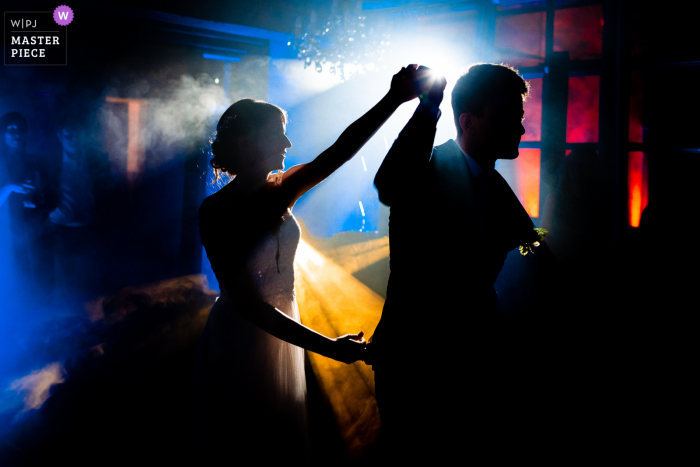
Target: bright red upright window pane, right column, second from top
[582, 112]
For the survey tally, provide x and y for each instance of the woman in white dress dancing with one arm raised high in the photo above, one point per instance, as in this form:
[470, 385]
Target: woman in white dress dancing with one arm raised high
[250, 388]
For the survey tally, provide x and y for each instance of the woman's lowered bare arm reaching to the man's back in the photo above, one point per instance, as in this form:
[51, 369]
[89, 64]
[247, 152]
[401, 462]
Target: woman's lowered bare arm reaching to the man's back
[348, 348]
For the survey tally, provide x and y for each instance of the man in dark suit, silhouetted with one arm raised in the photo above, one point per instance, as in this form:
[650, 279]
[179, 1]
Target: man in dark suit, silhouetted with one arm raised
[453, 219]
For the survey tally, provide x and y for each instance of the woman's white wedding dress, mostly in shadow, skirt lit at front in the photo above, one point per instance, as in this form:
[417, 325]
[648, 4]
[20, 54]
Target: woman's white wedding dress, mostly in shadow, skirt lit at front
[250, 386]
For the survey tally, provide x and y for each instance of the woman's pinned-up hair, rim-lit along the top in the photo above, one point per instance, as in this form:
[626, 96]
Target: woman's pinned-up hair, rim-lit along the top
[243, 118]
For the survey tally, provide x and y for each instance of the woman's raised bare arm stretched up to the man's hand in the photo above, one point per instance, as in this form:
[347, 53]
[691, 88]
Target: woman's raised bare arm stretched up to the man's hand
[301, 178]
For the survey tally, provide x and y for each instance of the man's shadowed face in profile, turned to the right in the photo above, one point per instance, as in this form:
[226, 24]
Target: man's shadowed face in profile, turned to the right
[499, 130]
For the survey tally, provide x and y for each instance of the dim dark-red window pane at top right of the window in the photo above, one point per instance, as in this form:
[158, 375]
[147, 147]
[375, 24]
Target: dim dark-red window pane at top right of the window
[579, 31]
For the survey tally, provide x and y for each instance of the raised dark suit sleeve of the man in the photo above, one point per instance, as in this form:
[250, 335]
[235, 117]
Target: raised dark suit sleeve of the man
[408, 157]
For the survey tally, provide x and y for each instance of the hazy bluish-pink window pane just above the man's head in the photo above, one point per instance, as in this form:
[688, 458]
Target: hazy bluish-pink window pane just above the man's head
[520, 40]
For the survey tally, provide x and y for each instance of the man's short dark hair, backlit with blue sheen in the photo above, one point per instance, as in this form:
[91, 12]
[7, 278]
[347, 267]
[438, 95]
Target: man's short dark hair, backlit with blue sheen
[482, 85]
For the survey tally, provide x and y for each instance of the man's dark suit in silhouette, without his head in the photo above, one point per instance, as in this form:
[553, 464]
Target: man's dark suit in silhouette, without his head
[450, 232]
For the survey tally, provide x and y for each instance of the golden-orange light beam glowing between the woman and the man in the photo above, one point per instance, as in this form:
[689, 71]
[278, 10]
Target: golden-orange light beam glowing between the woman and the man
[333, 302]
